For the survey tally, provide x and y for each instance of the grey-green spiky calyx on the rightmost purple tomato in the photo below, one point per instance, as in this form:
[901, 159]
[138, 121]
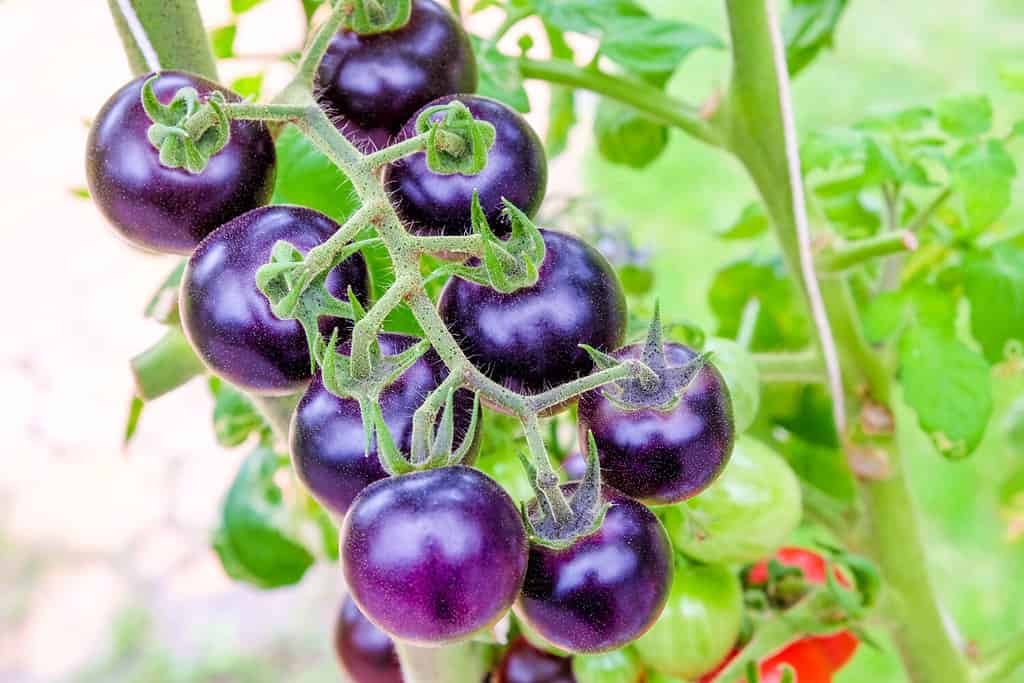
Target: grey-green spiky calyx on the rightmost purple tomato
[657, 385]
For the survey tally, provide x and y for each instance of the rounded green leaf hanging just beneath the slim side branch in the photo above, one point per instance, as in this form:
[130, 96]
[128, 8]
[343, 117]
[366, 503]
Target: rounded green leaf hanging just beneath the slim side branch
[626, 138]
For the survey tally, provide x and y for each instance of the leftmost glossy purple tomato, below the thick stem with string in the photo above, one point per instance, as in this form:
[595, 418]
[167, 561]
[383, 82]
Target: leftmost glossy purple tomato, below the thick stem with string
[169, 209]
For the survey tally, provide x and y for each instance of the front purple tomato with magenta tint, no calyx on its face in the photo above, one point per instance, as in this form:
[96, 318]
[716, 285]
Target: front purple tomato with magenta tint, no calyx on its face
[433, 558]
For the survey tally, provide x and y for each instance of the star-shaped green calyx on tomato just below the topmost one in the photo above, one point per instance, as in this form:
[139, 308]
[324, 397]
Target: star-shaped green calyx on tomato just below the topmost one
[456, 142]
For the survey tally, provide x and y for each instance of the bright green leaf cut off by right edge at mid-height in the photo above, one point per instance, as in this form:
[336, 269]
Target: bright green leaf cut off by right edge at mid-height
[995, 285]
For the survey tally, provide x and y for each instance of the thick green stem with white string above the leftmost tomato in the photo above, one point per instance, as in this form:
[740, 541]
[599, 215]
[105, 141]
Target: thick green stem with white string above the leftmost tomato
[163, 35]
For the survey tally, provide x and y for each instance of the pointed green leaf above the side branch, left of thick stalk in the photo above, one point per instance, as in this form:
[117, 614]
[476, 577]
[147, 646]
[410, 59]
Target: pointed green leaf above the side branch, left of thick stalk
[647, 46]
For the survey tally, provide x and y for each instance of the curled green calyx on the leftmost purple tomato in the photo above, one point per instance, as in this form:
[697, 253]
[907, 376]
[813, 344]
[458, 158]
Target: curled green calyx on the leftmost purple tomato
[188, 132]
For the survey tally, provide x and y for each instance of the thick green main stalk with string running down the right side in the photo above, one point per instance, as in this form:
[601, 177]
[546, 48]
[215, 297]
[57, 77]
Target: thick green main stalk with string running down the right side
[755, 132]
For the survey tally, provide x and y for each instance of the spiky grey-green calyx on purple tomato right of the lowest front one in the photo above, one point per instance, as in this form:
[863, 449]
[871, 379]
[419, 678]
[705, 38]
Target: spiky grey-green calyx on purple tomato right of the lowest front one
[587, 505]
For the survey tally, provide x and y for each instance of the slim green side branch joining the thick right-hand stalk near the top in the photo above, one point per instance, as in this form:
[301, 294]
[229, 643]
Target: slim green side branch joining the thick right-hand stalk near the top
[643, 97]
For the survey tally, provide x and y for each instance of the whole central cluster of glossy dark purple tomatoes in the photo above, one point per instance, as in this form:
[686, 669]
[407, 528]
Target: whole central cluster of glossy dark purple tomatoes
[436, 557]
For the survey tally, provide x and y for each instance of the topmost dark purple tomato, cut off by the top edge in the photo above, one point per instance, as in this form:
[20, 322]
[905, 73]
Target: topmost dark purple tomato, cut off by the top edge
[376, 82]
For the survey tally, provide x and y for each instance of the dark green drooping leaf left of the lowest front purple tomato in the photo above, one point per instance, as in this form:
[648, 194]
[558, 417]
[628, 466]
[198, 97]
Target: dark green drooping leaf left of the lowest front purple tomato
[255, 542]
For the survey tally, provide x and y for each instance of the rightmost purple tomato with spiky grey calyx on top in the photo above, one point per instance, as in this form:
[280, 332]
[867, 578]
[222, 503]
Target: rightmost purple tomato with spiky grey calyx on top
[662, 457]
